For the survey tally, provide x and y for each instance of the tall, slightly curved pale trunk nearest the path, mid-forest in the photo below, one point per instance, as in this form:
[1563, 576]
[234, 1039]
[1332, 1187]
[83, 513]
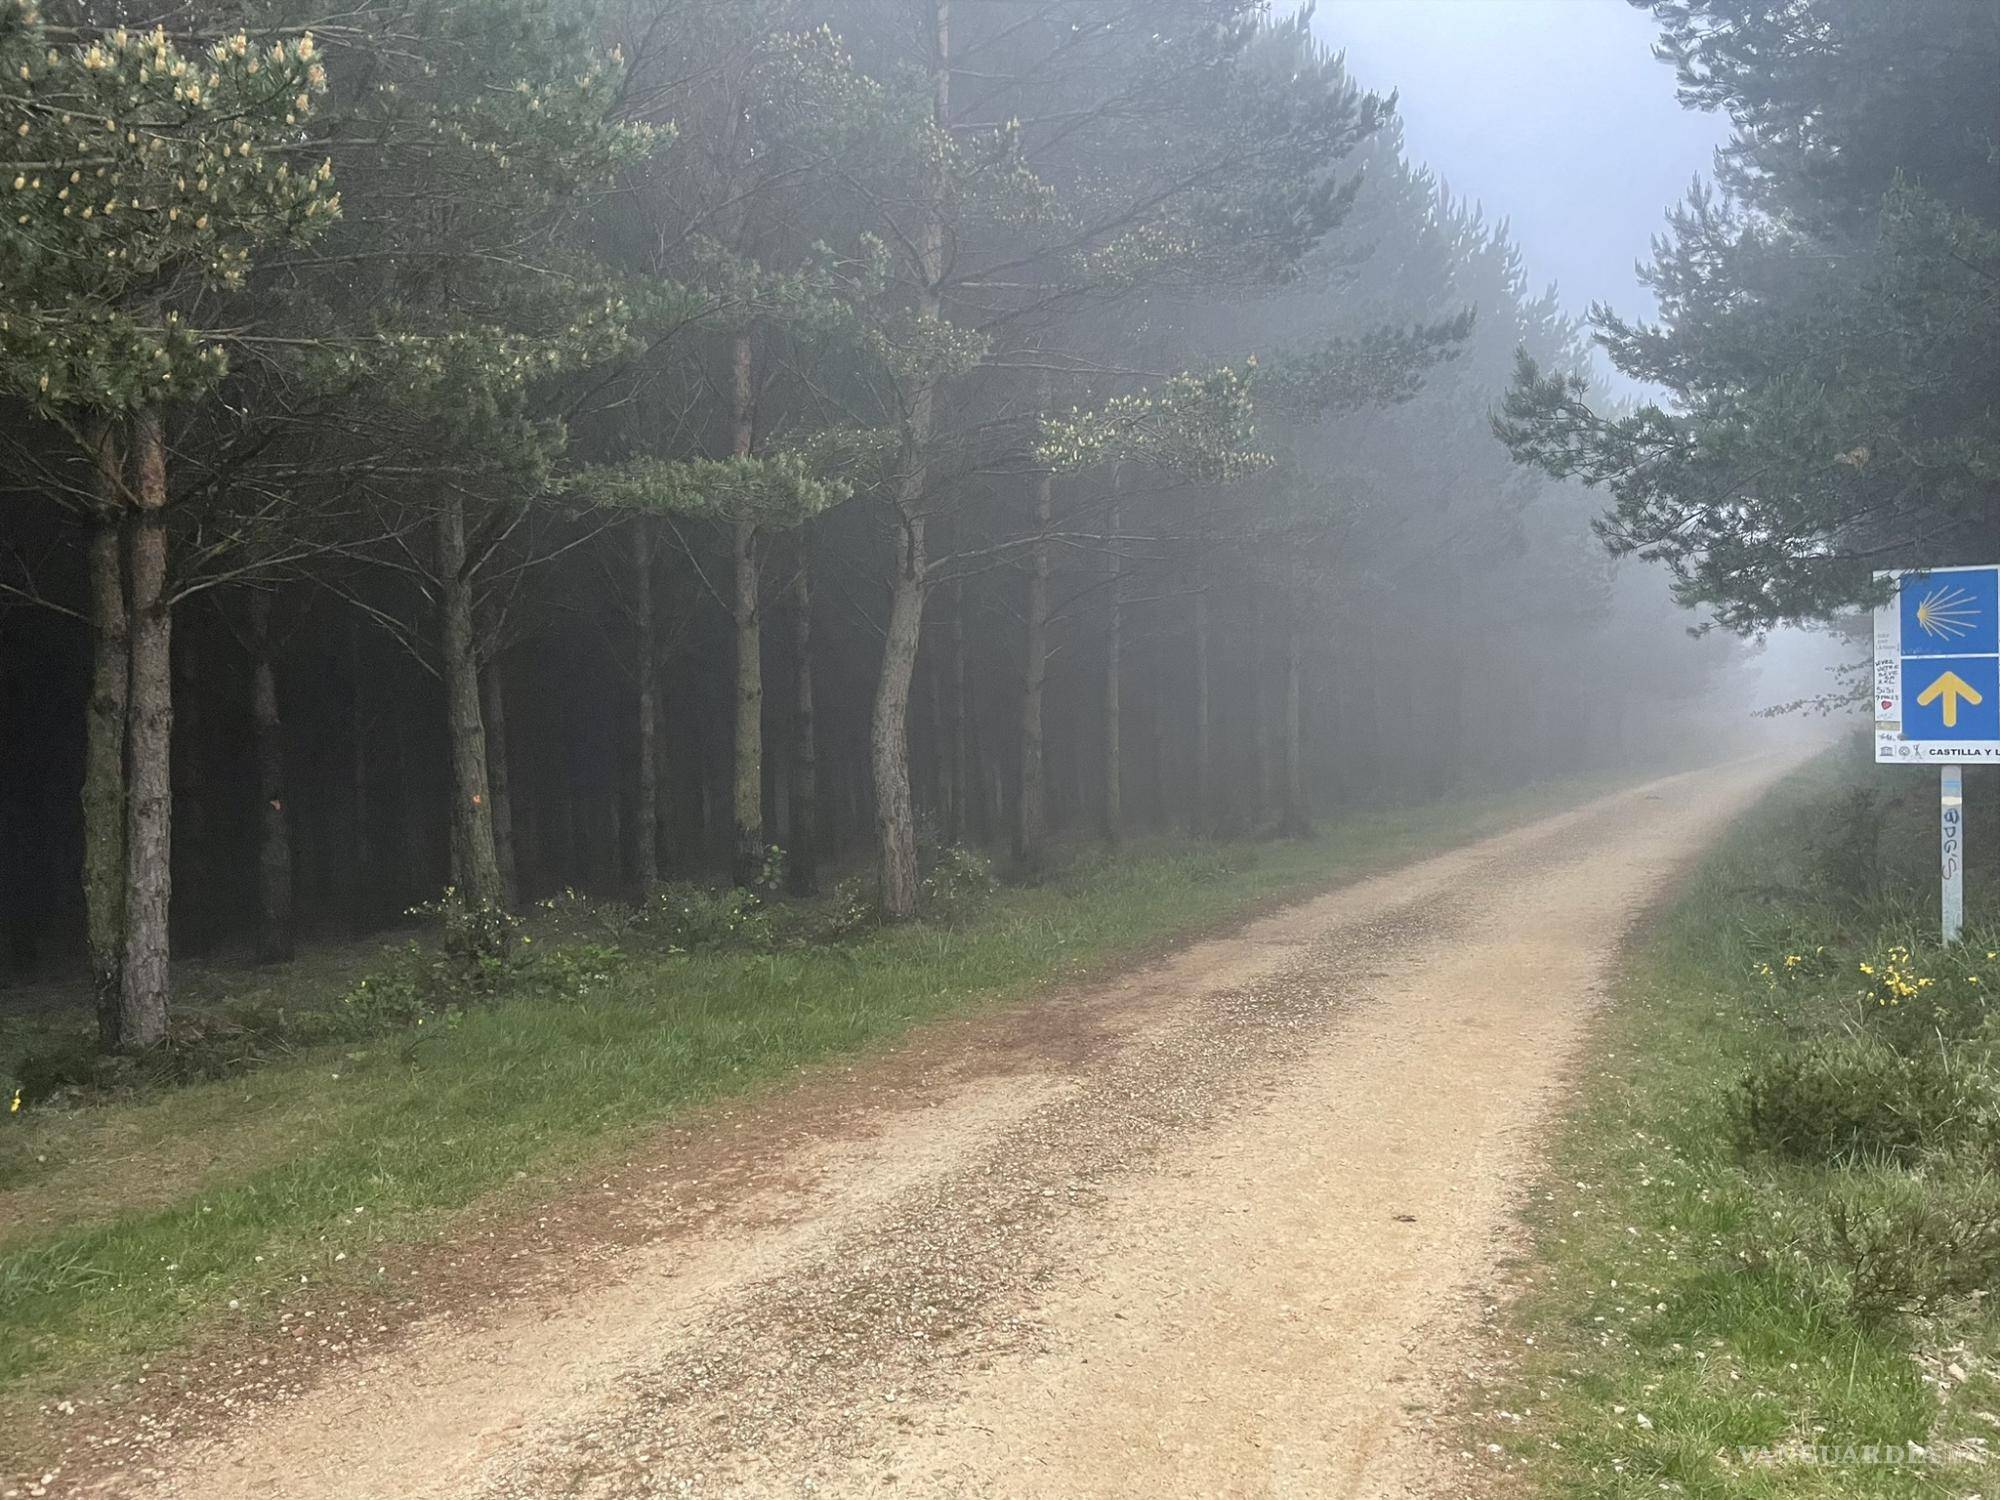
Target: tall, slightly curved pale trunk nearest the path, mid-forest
[889, 731]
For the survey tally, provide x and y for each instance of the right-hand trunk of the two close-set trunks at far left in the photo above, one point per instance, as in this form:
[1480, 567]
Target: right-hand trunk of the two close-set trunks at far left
[143, 1003]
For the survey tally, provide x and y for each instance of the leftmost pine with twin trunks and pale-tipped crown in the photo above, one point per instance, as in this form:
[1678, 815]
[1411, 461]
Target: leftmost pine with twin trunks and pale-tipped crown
[145, 177]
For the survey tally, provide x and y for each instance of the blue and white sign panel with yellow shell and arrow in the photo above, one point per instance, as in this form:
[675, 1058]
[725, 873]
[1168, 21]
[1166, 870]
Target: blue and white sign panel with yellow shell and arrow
[1939, 667]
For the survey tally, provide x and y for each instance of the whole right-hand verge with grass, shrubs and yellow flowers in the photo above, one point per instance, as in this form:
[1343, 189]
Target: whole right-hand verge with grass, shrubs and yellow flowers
[1763, 1255]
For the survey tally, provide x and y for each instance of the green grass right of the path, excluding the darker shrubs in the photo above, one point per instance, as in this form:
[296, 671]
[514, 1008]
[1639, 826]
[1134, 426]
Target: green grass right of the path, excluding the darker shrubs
[1675, 1313]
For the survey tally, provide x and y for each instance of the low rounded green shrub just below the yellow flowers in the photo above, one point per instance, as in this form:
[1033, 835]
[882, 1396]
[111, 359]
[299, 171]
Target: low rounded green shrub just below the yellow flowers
[1859, 1099]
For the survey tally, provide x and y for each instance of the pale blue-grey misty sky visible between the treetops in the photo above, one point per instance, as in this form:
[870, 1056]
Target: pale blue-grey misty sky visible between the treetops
[1551, 113]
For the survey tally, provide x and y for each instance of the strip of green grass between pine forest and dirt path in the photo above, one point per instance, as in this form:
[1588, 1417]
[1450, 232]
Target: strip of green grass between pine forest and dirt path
[127, 1229]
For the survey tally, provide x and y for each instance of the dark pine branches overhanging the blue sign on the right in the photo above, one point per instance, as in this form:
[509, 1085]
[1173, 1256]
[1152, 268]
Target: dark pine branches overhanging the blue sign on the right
[1825, 327]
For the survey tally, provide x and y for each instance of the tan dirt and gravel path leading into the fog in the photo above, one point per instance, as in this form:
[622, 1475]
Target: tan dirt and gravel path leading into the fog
[1217, 1229]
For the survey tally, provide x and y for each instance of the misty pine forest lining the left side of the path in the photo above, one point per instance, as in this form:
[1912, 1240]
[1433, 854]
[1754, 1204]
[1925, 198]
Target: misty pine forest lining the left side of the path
[523, 445]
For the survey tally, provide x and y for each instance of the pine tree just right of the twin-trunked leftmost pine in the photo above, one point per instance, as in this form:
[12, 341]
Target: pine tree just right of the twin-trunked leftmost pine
[443, 337]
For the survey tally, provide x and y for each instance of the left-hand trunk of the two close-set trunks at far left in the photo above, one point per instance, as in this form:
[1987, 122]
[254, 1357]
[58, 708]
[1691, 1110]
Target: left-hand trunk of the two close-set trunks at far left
[105, 735]
